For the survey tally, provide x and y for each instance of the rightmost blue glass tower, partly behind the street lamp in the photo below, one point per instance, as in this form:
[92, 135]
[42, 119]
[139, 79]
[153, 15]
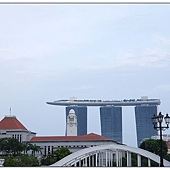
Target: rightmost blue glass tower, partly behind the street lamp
[144, 126]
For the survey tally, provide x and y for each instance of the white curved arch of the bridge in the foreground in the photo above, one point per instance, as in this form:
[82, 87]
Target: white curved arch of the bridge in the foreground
[70, 159]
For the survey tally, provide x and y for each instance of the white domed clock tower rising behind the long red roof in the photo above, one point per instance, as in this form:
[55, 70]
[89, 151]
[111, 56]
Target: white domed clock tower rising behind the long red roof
[71, 124]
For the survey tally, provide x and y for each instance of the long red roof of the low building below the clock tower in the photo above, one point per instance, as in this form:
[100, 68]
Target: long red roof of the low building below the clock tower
[88, 137]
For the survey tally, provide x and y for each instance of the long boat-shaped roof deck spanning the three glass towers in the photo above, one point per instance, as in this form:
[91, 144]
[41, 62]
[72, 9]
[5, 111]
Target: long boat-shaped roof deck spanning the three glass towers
[130, 102]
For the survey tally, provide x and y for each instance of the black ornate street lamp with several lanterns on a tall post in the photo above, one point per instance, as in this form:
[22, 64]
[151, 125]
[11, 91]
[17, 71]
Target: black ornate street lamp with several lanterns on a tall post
[157, 124]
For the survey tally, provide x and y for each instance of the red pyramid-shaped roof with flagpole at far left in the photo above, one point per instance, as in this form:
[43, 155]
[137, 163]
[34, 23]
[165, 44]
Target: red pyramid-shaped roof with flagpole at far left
[11, 122]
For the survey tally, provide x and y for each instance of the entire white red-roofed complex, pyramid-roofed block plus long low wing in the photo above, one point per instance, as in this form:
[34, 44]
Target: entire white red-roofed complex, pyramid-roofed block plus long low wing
[10, 126]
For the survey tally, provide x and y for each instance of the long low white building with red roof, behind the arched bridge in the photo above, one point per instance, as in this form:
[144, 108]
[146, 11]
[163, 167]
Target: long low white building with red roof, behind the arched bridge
[73, 143]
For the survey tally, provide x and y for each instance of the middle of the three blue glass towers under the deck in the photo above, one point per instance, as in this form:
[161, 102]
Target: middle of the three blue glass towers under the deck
[111, 122]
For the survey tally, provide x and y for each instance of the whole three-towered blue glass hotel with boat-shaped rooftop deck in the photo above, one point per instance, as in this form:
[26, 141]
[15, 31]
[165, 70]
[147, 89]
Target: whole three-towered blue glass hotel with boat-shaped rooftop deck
[111, 115]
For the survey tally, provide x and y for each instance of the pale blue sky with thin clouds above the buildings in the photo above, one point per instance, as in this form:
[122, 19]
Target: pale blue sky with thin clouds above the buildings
[50, 52]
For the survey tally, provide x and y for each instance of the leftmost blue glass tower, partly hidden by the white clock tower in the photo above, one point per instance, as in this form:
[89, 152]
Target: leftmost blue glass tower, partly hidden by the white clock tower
[81, 113]
